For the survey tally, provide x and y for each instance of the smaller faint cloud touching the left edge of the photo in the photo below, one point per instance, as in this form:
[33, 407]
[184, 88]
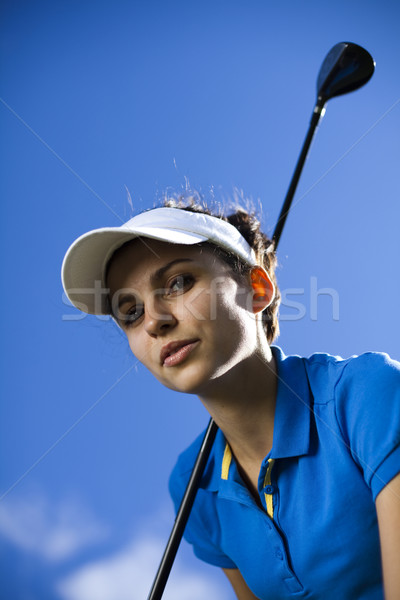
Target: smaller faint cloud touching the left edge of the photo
[54, 532]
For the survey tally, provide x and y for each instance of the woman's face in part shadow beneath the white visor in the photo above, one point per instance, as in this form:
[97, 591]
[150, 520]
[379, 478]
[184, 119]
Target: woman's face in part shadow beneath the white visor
[186, 317]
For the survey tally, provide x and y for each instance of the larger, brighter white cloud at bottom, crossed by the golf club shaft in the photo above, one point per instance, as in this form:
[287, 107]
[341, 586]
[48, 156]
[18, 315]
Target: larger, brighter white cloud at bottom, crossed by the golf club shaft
[128, 575]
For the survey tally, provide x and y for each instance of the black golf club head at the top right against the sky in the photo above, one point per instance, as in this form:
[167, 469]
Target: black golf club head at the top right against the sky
[346, 67]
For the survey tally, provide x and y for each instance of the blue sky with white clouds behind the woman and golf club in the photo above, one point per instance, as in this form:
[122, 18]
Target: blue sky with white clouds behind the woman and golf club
[97, 98]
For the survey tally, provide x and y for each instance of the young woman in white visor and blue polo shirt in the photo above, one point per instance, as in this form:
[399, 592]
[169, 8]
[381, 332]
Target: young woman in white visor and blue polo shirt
[301, 495]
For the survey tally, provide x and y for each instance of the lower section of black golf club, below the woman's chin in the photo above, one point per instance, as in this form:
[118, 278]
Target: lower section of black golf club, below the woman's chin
[182, 516]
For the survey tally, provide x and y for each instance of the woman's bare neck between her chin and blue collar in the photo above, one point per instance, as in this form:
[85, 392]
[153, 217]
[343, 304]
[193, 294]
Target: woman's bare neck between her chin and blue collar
[242, 403]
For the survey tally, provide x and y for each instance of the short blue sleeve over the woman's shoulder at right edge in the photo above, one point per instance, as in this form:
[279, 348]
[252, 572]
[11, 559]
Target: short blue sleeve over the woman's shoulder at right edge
[368, 412]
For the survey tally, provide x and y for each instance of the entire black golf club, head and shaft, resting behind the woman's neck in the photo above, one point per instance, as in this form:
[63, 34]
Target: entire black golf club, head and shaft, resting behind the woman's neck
[346, 68]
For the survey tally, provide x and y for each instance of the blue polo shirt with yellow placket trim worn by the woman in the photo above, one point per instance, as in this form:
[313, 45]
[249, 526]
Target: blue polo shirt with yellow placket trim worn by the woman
[336, 444]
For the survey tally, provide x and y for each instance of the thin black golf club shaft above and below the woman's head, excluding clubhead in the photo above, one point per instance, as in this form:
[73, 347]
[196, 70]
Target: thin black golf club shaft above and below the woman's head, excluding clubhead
[185, 508]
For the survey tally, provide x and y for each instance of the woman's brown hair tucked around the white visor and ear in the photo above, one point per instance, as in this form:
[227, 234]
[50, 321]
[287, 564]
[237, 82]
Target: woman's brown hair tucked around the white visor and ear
[249, 226]
